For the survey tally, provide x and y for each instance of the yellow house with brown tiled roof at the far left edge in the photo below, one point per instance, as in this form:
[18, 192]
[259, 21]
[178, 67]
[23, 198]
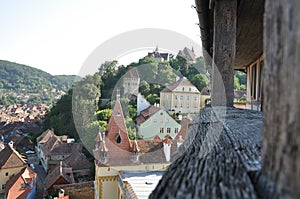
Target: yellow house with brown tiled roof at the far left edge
[11, 163]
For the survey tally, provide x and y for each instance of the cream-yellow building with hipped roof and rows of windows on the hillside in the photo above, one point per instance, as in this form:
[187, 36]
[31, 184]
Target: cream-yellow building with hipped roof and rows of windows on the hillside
[181, 96]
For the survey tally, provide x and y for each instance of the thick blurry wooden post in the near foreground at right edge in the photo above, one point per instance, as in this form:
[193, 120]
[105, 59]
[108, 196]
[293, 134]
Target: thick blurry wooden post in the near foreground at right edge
[281, 134]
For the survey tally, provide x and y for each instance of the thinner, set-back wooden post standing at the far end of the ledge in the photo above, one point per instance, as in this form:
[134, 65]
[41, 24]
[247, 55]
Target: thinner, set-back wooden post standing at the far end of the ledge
[224, 47]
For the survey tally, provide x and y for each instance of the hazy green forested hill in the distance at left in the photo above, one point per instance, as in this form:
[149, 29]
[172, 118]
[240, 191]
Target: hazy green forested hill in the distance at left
[20, 80]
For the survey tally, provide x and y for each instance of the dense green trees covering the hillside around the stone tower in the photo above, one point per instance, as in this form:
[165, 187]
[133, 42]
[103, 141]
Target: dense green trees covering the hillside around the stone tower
[90, 112]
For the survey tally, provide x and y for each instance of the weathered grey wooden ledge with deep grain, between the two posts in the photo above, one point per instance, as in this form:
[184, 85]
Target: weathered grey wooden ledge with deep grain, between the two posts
[222, 147]
